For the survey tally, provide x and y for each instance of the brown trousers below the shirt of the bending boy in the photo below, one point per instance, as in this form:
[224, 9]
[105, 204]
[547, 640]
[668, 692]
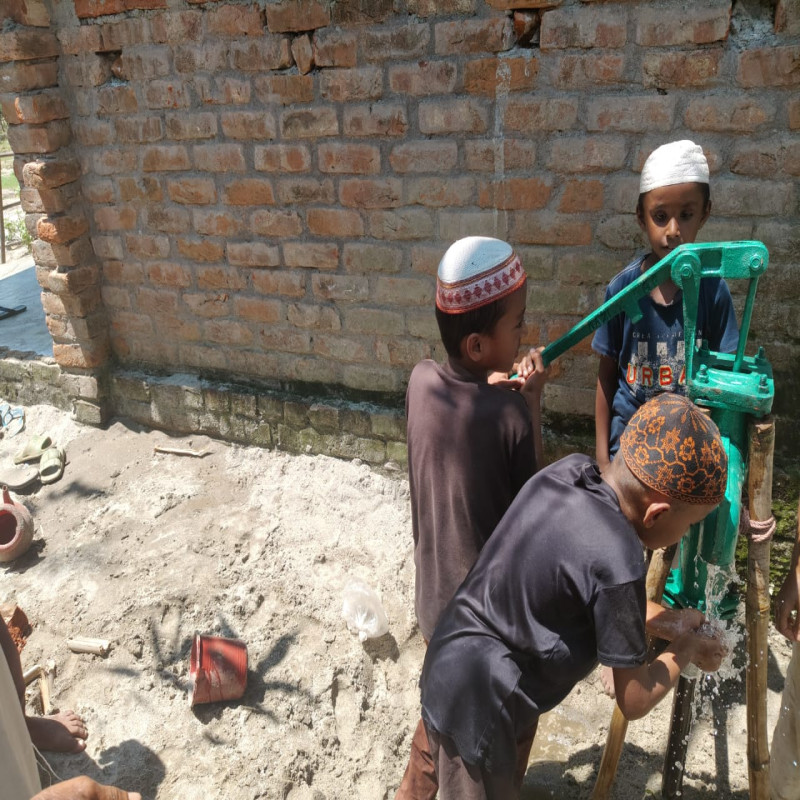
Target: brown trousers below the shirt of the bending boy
[461, 781]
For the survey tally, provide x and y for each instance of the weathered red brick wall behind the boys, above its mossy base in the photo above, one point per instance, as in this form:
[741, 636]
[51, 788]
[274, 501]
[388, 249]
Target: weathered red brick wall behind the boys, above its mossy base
[267, 187]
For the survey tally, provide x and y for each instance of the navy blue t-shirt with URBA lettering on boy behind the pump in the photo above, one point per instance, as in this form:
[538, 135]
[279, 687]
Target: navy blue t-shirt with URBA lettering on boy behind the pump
[650, 353]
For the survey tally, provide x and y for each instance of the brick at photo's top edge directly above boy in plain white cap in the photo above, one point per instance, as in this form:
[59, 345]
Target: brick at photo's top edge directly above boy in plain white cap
[699, 23]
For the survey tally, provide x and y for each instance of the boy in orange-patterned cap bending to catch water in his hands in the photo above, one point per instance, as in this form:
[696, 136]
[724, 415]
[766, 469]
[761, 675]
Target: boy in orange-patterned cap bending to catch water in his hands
[560, 585]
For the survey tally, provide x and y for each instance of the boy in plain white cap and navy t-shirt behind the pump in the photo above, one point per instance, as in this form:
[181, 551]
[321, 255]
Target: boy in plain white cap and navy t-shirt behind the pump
[639, 360]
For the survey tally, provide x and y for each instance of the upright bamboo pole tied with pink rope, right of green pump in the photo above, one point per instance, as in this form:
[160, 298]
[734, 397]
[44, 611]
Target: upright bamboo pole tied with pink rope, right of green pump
[761, 435]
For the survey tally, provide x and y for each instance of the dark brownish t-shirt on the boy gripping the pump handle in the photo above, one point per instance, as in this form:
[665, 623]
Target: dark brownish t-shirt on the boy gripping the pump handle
[470, 450]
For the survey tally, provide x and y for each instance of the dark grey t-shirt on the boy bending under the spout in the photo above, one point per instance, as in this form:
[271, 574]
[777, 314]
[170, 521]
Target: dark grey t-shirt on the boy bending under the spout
[559, 585]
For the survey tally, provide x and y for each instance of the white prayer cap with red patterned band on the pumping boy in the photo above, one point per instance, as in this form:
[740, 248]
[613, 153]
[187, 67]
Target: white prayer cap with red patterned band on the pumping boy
[476, 271]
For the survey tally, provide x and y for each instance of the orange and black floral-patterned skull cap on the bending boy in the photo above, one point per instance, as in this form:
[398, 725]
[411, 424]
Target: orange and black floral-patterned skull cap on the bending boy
[671, 446]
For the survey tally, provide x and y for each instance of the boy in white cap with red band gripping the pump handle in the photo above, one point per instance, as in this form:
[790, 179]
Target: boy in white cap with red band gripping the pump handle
[472, 442]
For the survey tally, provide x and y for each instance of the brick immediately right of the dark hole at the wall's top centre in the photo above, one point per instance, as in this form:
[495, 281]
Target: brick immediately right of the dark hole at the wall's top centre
[588, 27]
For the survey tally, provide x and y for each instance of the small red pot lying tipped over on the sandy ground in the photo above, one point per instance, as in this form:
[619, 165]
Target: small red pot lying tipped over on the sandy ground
[218, 669]
